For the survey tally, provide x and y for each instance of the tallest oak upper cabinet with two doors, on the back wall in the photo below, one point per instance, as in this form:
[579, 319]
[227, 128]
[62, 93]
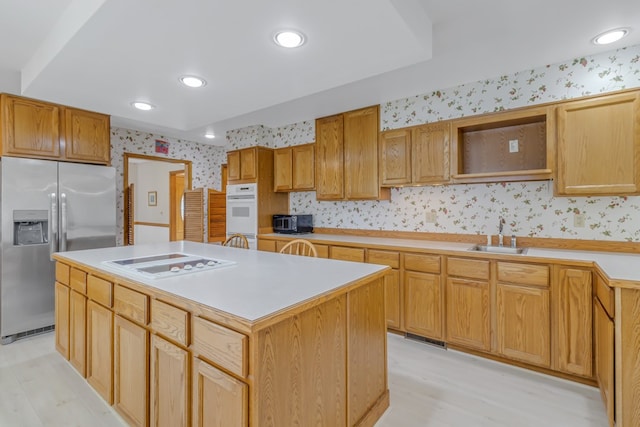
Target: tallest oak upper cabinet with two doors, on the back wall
[347, 156]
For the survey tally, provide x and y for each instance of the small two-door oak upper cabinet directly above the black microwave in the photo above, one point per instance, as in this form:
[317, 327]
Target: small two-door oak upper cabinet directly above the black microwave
[294, 168]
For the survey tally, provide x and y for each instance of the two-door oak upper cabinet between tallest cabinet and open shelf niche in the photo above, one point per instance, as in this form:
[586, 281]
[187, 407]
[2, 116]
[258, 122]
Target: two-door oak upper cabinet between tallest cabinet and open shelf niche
[415, 156]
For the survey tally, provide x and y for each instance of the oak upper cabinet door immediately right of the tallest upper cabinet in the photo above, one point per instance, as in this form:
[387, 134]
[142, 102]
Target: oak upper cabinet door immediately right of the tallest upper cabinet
[395, 157]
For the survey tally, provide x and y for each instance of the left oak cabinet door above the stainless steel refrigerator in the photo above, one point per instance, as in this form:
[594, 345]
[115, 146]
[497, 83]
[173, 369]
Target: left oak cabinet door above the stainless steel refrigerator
[30, 128]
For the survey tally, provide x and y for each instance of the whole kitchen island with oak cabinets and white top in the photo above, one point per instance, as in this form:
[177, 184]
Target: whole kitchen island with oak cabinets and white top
[267, 340]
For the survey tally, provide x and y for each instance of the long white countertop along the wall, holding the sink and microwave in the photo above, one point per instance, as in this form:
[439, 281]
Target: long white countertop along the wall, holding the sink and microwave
[617, 266]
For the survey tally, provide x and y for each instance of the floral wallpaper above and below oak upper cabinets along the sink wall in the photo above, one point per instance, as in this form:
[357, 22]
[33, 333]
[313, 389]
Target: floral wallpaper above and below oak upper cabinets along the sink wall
[529, 208]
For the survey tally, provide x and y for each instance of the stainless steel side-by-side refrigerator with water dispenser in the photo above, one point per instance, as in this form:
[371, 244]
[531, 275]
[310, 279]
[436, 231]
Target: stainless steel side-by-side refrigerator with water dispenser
[46, 207]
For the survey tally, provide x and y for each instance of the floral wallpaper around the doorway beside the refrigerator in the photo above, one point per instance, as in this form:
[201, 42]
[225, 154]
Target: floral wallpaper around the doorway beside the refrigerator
[206, 161]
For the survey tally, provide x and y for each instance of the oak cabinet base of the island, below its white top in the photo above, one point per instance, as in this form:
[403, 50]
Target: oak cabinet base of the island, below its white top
[165, 360]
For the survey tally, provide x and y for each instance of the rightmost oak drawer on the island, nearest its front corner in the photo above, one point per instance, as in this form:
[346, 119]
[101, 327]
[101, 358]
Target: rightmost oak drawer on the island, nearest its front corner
[222, 346]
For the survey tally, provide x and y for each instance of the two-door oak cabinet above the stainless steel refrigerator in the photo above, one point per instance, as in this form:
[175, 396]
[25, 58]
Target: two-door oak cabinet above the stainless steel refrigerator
[39, 129]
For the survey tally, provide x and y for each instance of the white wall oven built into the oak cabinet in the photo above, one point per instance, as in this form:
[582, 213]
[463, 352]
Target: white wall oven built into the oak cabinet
[242, 211]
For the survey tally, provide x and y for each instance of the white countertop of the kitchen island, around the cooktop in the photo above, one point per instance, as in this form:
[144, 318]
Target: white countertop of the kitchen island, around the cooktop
[259, 284]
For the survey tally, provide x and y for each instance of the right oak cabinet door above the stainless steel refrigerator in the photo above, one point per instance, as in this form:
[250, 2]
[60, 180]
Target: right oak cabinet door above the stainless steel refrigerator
[87, 136]
